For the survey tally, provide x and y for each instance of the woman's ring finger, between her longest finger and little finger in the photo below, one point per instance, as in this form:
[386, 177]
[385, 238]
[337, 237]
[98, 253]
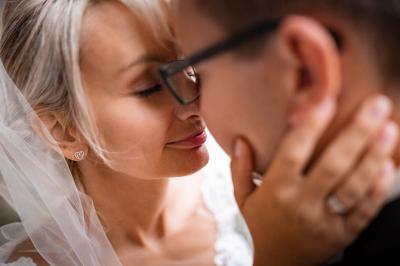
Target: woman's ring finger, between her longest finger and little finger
[357, 186]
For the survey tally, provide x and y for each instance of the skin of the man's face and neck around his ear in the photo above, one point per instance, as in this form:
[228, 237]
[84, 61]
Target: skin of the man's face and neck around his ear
[276, 68]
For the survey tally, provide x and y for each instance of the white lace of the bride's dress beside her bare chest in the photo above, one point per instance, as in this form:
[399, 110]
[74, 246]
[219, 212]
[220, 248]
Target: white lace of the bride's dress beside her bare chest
[233, 245]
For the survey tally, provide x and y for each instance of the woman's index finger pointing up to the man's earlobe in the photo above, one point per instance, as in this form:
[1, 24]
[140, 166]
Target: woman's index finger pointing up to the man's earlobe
[299, 143]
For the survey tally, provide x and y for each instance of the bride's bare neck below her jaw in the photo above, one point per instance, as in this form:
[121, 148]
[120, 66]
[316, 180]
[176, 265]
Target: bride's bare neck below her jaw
[131, 209]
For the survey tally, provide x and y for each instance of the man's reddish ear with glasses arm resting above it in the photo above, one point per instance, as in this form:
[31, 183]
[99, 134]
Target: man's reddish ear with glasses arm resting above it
[317, 62]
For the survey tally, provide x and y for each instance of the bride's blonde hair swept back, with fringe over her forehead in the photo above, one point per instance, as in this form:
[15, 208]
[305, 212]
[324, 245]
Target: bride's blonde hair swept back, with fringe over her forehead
[41, 51]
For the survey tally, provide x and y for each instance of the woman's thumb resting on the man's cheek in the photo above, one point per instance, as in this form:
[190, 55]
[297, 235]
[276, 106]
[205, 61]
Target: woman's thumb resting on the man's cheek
[241, 167]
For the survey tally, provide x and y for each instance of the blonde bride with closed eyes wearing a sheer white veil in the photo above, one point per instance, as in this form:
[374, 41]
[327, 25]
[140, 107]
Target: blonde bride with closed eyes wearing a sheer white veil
[87, 70]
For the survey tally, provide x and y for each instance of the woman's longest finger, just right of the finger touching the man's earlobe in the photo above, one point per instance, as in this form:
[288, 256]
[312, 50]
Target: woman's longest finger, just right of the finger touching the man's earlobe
[348, 147]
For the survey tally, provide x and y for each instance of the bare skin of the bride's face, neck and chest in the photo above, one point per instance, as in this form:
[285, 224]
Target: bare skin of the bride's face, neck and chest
[158, 226]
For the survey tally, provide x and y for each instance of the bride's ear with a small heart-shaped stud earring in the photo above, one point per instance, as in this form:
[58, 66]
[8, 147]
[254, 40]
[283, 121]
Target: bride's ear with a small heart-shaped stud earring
[67, 138]
